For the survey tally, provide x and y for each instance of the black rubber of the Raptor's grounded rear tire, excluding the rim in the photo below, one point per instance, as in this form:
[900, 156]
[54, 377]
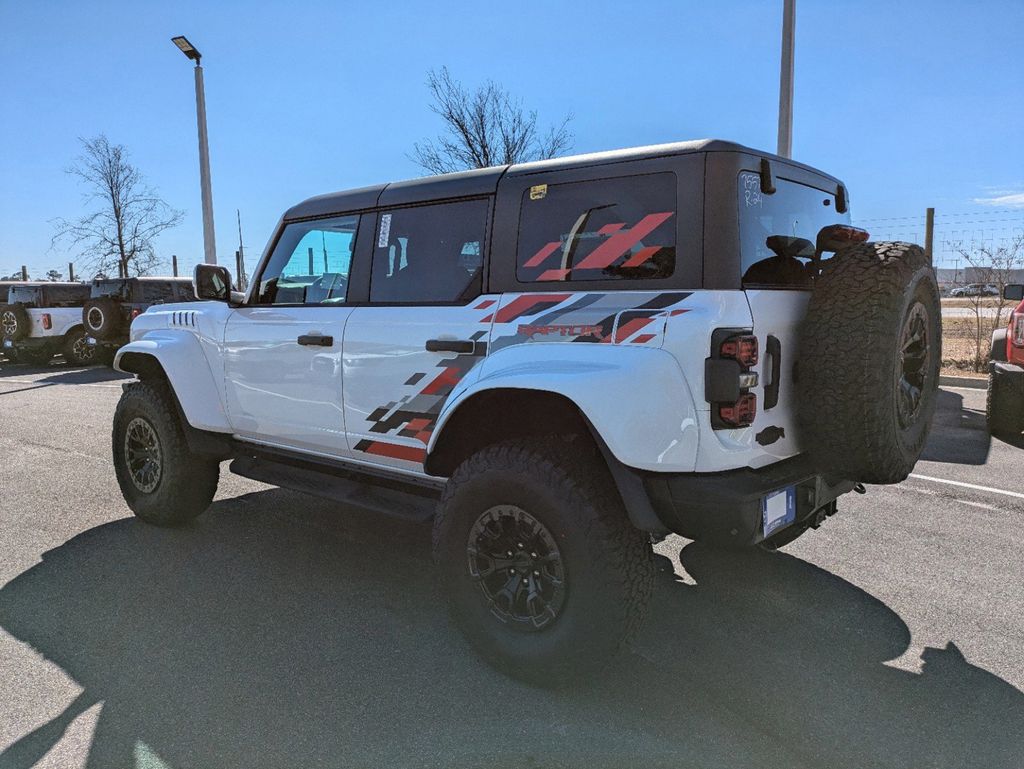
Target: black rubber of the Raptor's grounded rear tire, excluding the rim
[609, 567]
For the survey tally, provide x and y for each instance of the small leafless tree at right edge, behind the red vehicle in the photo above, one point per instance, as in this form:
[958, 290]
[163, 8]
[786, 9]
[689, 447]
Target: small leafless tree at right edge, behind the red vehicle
[994, 267]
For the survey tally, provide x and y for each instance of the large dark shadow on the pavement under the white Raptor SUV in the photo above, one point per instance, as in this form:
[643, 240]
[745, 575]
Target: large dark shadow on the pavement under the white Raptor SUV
[278, 631]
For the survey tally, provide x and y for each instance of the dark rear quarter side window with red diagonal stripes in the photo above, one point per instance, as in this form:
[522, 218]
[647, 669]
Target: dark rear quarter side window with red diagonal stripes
[622, 229]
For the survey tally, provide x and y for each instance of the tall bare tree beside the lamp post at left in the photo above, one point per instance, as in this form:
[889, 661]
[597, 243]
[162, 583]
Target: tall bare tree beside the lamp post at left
[127, 217]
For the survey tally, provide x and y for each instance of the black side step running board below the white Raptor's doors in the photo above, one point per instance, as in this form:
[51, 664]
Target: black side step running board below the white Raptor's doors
[415, 505]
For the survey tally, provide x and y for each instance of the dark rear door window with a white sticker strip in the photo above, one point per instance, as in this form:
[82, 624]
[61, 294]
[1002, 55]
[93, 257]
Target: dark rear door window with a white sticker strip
[430, 253]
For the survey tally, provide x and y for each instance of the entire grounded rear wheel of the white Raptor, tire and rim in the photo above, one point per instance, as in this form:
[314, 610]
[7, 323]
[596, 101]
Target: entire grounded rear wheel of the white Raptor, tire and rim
[542, 570]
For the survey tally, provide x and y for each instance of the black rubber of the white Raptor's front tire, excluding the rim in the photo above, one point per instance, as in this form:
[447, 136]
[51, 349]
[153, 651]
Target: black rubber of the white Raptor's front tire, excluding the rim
[187, 484]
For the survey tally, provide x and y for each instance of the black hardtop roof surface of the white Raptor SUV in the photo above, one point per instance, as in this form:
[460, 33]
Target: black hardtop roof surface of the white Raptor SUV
[485, 181]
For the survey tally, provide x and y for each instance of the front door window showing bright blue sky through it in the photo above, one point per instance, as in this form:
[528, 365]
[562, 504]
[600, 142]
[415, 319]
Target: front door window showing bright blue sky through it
[311, 265]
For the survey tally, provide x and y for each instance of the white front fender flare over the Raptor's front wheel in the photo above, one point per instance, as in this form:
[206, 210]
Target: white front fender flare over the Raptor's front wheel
[181, 356]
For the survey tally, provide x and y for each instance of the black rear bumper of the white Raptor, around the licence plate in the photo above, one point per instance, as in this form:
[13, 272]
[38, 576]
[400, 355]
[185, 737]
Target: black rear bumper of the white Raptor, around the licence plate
[726, 508]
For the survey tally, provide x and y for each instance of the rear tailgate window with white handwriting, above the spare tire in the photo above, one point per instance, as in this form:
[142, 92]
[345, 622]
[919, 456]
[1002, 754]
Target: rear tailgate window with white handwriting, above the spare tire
[778, 232]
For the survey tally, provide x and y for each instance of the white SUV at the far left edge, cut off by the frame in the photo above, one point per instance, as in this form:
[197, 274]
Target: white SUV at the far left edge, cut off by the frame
[42, 320]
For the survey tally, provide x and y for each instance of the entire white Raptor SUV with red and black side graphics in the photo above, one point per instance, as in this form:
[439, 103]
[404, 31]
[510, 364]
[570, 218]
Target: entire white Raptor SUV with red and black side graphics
[559, 362]
